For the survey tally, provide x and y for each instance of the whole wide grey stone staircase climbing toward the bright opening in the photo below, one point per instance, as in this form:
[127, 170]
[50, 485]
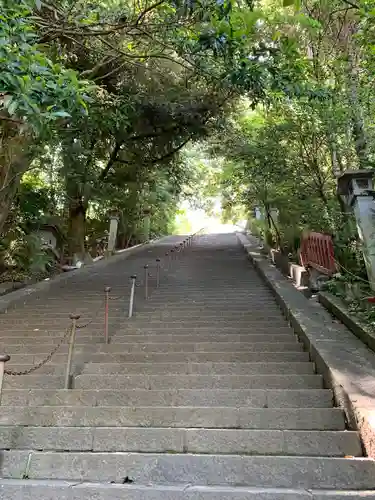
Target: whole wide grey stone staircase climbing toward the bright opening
[206, 394]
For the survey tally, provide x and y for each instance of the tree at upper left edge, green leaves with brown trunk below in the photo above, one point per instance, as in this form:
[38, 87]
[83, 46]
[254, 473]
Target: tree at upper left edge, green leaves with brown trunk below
[35, 94]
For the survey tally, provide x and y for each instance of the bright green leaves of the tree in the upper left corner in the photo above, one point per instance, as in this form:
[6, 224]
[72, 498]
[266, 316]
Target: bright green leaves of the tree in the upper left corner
[35, 90]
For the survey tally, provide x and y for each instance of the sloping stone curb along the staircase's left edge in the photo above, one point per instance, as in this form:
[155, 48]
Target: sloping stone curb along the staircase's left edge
[12, 299]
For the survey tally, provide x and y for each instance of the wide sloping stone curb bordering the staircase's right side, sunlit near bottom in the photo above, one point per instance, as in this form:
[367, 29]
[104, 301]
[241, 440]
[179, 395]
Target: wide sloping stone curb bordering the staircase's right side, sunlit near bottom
[347, 365]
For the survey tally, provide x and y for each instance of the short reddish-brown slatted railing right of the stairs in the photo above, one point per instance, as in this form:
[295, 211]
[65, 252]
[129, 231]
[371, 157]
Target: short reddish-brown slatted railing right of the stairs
[317, 252]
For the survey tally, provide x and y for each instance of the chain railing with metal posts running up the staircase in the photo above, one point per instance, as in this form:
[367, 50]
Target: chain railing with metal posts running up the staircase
[69, 336]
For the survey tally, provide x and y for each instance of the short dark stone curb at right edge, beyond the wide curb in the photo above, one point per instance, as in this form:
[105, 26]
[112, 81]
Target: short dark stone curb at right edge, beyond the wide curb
[336, 307]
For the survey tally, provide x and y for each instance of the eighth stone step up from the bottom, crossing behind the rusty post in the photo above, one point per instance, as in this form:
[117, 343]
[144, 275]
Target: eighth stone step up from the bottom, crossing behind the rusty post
[205, 357]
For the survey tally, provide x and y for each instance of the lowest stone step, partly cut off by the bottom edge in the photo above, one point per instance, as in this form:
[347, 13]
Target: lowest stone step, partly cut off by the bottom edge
[51, 490]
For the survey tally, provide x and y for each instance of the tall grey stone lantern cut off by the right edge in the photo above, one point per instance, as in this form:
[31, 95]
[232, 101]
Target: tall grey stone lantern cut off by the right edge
[356, 190]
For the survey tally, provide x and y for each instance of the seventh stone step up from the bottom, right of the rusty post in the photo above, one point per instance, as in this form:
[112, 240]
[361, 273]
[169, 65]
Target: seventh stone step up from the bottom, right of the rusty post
[199, 368]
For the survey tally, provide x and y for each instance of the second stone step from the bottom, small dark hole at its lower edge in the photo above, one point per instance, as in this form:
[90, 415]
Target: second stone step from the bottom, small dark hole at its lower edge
[225, 470]
